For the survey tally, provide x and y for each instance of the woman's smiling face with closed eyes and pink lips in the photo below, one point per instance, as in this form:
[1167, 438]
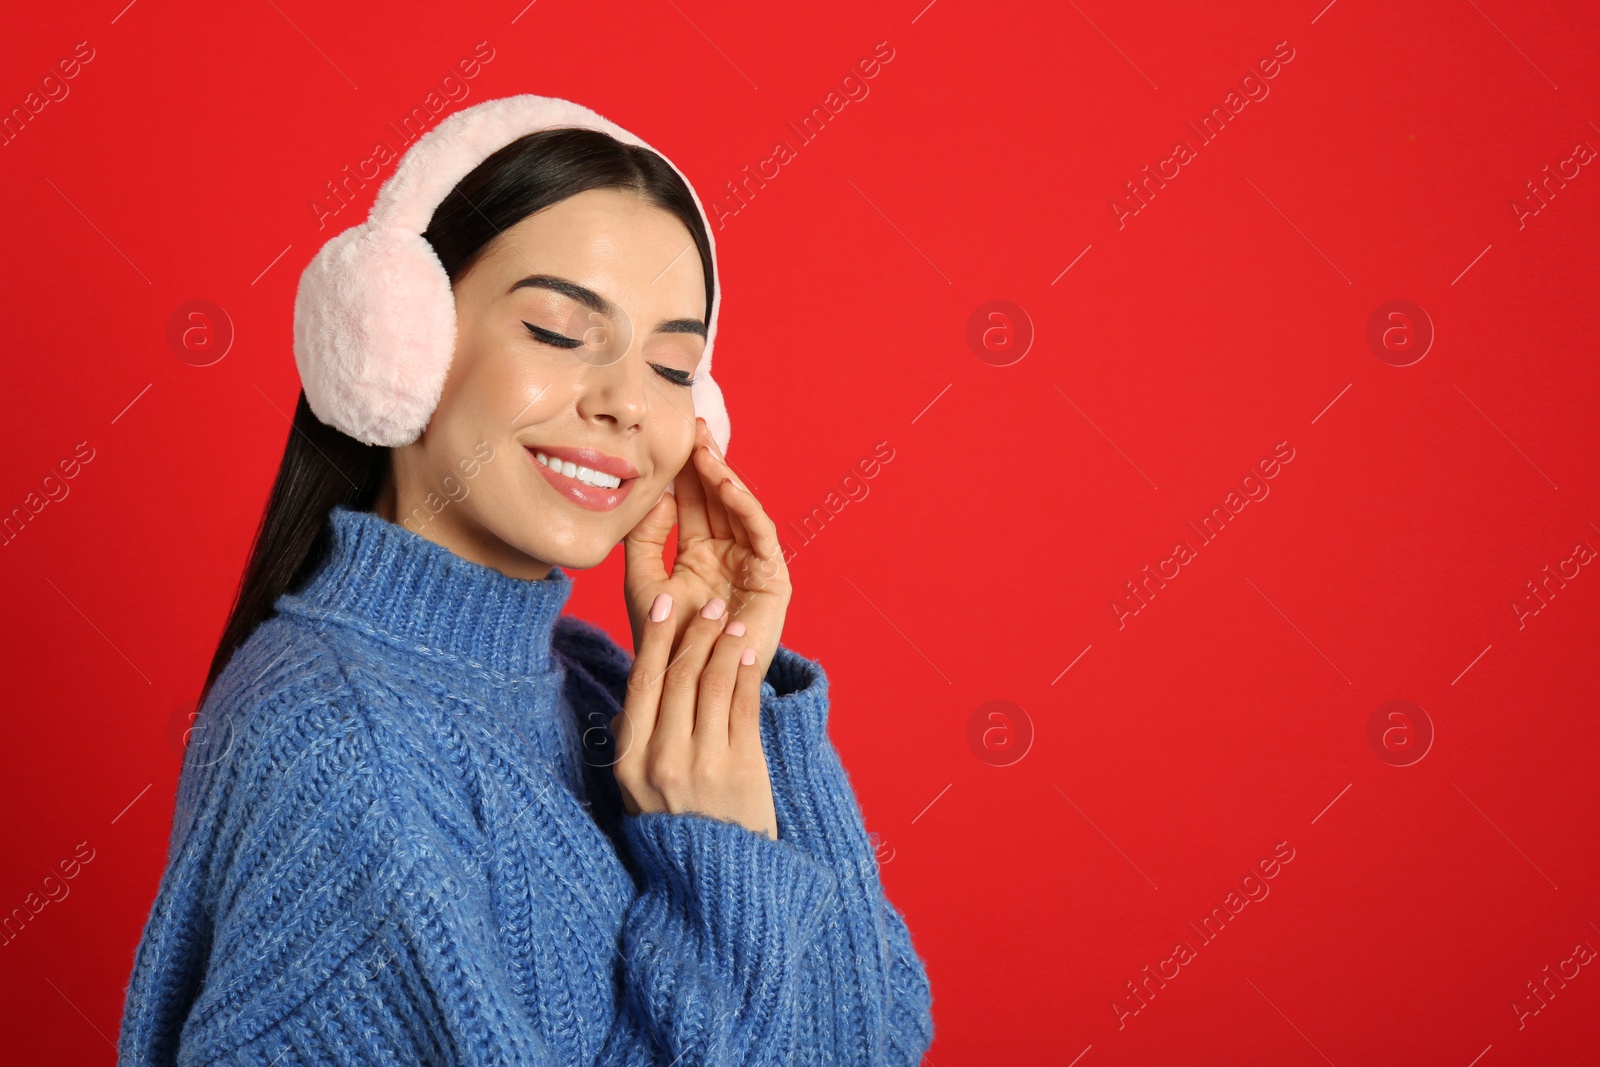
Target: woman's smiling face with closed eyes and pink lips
[575, 335]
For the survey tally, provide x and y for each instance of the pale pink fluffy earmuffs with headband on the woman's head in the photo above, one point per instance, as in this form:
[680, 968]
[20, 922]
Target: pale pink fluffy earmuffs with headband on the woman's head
[375, 318]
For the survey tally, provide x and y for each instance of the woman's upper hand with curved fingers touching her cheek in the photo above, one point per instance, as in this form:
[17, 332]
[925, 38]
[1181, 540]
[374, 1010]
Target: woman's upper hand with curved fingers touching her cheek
[727, 548]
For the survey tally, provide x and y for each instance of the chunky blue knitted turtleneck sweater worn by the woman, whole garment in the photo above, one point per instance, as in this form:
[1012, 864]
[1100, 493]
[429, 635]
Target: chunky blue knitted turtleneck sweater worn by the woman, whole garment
[399, 841]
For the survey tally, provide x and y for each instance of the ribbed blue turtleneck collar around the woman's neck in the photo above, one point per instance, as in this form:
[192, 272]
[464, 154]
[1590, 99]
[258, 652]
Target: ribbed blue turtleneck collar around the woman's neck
[396, 585]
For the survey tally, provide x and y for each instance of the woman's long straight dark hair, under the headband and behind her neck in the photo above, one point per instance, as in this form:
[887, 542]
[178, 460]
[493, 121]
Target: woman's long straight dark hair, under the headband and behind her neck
[322, 466]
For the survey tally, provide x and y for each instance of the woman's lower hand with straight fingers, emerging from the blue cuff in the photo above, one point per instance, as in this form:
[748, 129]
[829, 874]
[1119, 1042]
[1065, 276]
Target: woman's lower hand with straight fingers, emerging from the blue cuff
[690, 725]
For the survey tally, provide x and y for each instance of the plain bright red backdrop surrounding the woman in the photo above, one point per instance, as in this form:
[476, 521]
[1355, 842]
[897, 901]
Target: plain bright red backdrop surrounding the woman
[1228, 316]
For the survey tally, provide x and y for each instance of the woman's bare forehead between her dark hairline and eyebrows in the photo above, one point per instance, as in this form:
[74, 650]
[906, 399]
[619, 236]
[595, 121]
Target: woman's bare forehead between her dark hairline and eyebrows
[610, 241]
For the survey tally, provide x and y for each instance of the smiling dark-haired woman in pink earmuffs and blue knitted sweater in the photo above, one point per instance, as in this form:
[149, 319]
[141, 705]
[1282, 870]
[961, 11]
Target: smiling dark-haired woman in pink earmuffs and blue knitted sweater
[428, 818]
